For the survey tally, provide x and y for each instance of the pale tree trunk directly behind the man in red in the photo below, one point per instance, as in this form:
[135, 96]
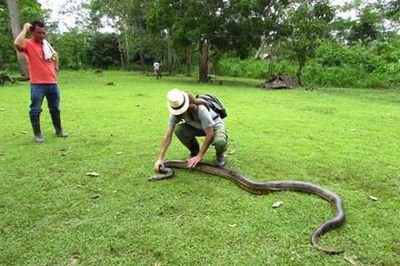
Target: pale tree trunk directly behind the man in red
[16, 29]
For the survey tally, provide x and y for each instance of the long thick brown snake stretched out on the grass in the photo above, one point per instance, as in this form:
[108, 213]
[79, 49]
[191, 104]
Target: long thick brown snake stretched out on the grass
[266, 187]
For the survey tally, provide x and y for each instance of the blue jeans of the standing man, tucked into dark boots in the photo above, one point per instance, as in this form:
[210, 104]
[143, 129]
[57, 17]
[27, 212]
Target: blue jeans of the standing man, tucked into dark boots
[38, 92]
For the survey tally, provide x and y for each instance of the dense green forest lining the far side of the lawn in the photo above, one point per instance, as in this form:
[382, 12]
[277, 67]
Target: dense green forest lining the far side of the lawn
[308, 40]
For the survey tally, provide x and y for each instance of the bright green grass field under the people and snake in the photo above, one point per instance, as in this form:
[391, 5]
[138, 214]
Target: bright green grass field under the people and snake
[52, 213]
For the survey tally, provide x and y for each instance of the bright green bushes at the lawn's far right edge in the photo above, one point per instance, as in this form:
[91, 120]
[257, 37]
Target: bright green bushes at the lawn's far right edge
[354, 66]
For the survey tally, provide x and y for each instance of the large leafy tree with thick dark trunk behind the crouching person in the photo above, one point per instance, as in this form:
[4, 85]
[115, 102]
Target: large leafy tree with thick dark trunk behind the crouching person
[216, 25]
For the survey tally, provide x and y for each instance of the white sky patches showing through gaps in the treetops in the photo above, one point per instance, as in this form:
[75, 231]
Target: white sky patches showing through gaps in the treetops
[68, 21]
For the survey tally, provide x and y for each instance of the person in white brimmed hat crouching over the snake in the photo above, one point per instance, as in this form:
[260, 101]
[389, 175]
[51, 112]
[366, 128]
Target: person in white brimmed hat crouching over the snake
[191, 117]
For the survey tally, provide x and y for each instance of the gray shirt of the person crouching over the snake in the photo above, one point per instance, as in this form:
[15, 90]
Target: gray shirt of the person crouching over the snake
[202, 119]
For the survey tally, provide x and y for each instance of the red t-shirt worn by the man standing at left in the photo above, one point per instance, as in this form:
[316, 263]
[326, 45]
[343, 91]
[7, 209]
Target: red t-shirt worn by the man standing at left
[41, 71]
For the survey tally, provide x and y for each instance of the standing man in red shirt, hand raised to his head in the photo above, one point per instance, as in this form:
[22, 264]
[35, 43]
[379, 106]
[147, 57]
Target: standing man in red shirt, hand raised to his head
[43, 67]
